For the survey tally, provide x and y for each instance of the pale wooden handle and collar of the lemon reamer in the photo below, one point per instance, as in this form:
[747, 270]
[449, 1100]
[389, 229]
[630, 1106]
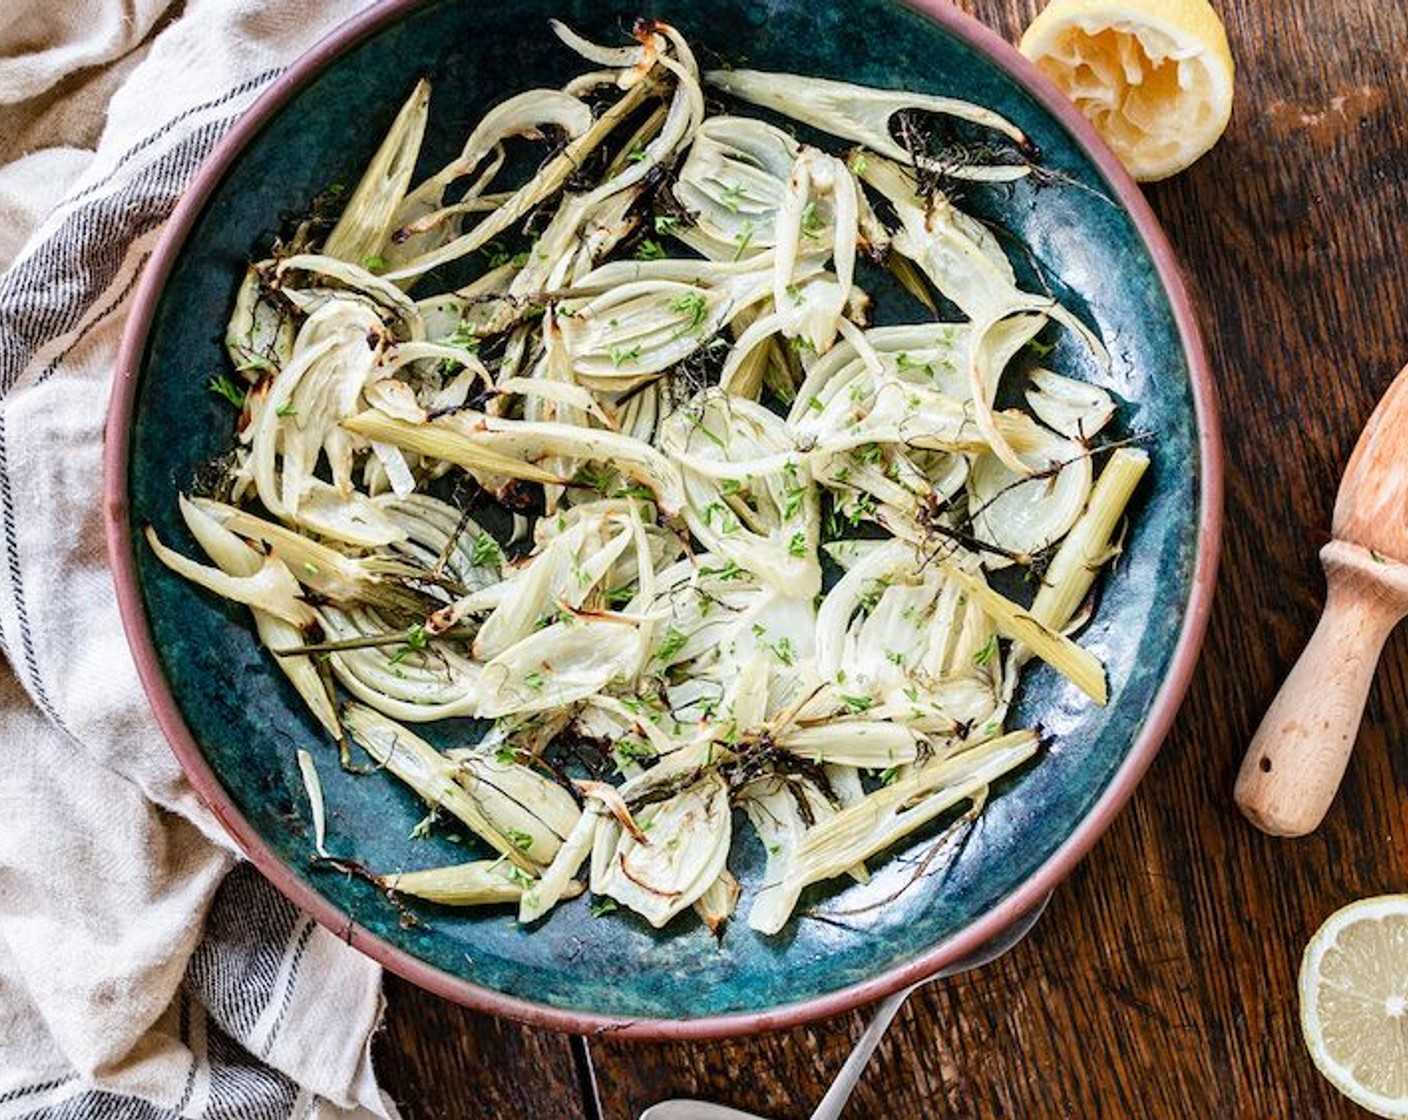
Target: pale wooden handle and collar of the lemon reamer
[1299, 754]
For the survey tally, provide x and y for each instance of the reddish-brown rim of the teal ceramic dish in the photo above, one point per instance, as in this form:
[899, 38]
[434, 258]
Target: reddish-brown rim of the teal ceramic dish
[212, 794]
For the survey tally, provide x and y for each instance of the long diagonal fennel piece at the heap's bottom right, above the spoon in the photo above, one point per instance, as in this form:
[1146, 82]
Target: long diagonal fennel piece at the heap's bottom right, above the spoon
[885, 818]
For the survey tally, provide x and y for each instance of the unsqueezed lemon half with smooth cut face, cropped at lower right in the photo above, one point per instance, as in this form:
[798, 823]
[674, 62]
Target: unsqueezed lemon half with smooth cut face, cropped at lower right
[1355, 1002]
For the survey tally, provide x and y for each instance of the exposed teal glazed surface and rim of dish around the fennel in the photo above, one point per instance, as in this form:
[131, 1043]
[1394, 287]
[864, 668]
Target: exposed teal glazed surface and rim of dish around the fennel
[236, 725]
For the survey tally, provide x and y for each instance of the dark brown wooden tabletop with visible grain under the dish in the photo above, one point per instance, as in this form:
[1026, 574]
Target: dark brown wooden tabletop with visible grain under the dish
[1162, 980]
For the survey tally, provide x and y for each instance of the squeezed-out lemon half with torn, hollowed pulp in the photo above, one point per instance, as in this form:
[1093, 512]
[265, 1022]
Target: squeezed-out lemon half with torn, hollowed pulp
[1154, 77]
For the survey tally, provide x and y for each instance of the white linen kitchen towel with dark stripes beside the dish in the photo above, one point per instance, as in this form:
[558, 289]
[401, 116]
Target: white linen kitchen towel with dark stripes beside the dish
[144, 970]
